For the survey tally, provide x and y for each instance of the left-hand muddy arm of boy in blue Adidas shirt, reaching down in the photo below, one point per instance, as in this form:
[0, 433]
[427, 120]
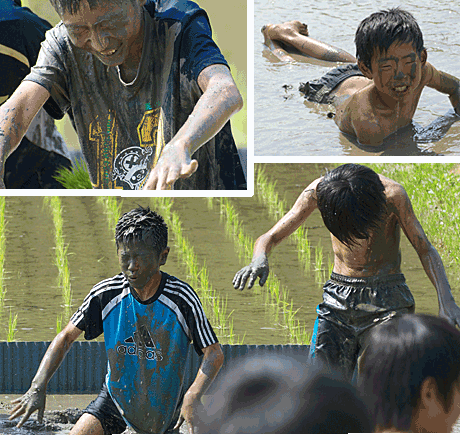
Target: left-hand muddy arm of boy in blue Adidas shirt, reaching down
[35, 398]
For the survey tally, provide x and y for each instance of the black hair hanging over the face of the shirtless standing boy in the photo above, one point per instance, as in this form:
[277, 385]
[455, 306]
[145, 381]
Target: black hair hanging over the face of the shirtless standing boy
[351, 200]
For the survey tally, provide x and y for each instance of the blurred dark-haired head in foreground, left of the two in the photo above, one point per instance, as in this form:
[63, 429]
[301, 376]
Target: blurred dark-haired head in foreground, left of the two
[277, 394]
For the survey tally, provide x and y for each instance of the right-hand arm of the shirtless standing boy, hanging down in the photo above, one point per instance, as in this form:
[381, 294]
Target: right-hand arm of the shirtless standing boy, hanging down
[429, 257]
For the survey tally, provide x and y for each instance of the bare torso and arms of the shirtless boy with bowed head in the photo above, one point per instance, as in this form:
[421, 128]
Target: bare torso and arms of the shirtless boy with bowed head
[379, 255]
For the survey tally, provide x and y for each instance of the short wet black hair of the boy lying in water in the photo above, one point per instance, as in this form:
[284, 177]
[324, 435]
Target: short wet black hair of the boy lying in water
[376, 33]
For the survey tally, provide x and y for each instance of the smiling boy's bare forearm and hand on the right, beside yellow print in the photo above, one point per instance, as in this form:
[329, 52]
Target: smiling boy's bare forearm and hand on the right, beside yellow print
[220, 100]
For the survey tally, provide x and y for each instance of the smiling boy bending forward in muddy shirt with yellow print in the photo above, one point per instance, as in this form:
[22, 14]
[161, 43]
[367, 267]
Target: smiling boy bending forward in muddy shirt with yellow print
[150, 93]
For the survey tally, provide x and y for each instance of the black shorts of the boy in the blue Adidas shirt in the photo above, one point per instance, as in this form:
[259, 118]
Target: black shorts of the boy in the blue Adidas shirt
[105, 410]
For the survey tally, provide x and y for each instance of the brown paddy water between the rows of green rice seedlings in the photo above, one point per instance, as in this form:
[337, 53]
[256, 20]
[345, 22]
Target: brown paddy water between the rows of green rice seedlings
[31, 277]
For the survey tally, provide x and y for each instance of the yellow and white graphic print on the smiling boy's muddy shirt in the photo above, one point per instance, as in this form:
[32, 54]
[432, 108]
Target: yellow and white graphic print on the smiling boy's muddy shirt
[130, 167]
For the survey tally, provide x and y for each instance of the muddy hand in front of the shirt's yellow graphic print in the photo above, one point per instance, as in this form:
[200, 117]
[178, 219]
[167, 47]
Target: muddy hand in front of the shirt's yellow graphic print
[174, 163]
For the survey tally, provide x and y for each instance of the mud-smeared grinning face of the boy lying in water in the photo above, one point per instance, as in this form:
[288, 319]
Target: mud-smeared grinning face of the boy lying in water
[397, 72]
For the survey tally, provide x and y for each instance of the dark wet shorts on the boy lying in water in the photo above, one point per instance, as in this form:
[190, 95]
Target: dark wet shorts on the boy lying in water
[319, 90]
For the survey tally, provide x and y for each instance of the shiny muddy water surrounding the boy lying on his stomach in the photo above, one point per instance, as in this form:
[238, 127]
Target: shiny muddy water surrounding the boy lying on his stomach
[295, 127]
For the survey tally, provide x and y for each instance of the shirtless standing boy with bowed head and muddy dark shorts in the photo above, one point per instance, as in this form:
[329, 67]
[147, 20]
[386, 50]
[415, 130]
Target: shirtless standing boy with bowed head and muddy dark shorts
[364, 213]
